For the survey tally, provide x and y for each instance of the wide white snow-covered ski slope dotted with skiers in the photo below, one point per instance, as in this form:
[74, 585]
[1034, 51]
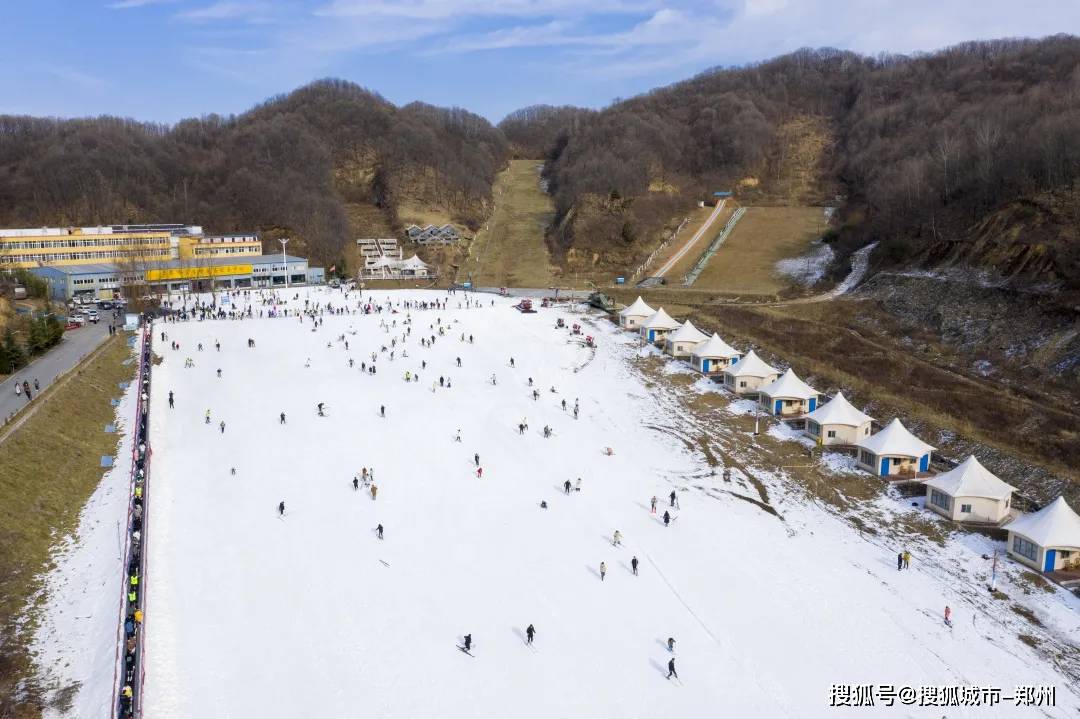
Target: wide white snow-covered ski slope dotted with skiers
[310, 615]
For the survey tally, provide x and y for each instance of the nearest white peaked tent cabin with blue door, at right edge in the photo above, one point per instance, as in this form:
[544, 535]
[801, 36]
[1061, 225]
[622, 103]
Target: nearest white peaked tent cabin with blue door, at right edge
[1048, 540]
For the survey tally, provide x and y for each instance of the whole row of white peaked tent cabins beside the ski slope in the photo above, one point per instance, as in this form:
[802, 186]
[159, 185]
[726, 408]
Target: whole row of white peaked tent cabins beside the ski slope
[1048, 540]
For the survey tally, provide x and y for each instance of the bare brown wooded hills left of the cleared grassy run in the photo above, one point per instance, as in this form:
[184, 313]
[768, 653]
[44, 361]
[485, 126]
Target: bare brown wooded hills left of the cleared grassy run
[289, 167]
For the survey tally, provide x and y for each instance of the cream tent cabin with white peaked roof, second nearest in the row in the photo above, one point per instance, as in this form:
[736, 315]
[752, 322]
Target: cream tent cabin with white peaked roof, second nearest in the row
[970, 493]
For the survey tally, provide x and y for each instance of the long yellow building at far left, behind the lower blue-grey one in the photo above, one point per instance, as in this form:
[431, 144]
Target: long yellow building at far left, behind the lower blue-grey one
[82, 246]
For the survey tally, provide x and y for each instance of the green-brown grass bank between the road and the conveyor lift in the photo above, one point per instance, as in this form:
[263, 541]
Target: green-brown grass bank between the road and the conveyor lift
[49, 467]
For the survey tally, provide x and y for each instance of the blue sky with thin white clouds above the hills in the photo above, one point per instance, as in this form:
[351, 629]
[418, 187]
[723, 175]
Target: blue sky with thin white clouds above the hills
[168, 60]
